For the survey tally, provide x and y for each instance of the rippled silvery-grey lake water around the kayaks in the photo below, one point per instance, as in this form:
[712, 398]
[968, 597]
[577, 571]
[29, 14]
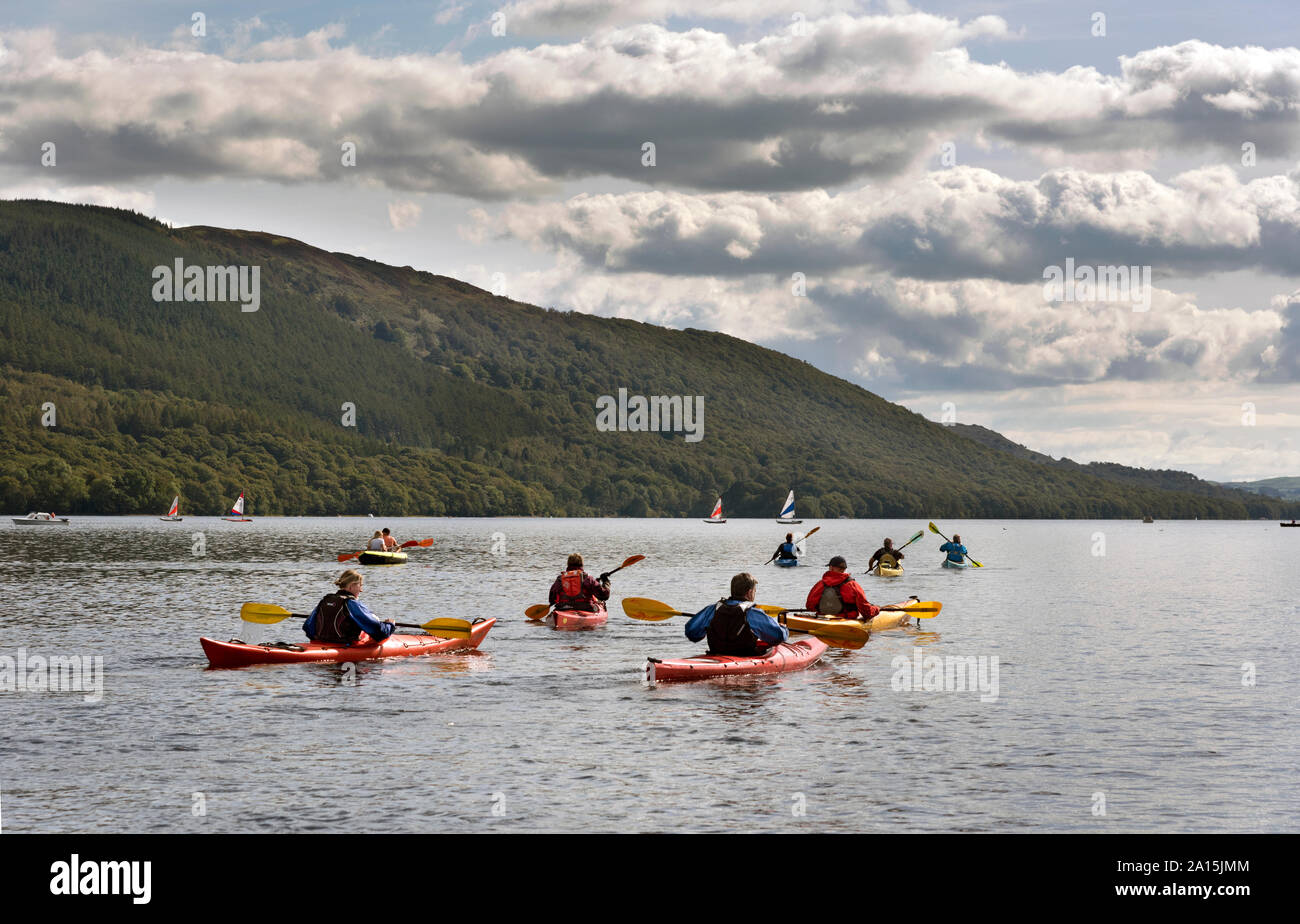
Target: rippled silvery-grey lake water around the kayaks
[1120, 686]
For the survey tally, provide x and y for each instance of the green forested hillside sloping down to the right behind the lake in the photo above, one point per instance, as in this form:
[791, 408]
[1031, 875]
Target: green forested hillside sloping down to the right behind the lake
[462, 402]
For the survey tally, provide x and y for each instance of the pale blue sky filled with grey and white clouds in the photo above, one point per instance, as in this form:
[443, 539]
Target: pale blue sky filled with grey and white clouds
[876, 188]
